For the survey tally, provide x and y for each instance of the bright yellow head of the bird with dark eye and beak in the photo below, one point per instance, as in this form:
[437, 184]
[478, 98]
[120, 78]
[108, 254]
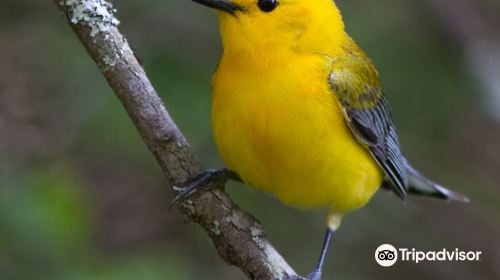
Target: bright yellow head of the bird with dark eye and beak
[268, 25]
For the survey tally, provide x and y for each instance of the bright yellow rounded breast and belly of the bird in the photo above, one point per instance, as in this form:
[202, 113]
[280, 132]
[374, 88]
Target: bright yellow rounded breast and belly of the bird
[277, 124]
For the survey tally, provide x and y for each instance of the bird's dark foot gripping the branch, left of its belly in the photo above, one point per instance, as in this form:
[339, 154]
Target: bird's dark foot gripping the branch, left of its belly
[202, 181]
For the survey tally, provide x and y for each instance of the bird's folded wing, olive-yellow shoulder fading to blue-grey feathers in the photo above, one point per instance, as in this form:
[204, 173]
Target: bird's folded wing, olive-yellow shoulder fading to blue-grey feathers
[354, 81]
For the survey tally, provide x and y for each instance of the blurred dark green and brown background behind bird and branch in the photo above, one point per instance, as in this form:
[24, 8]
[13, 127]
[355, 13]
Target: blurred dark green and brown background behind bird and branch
[82, 198]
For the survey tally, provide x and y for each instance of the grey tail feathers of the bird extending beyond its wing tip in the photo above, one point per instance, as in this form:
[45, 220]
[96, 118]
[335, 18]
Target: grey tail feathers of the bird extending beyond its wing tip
[420, 185]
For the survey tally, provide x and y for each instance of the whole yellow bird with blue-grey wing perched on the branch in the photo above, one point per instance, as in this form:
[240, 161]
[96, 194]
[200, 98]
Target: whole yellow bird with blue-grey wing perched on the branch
[298, 111]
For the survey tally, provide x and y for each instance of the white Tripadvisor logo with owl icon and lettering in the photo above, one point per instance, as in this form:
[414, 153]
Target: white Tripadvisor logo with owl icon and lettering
[387, 255]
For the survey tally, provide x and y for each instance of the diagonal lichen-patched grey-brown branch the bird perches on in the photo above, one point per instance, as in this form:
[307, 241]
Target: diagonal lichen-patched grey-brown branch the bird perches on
[238, 236]
